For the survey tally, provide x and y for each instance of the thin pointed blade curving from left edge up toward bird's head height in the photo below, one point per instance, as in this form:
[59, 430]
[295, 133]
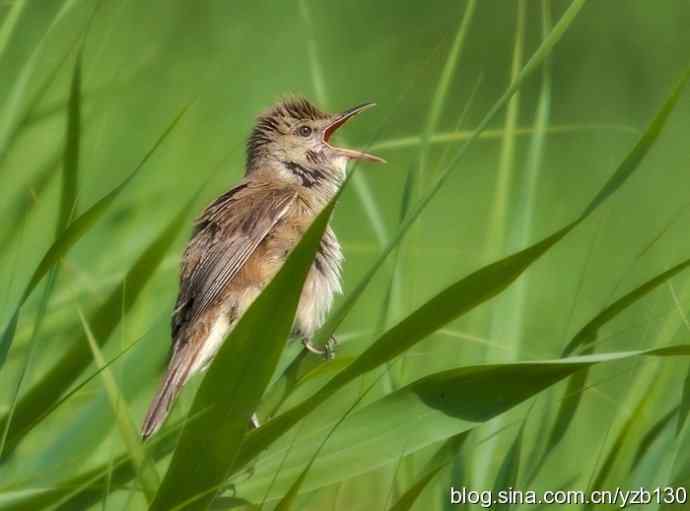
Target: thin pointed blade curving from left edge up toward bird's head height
[70, 237]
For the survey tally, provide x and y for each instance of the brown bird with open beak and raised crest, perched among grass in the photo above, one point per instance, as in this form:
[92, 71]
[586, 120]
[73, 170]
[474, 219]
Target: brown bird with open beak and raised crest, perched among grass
[242, 238]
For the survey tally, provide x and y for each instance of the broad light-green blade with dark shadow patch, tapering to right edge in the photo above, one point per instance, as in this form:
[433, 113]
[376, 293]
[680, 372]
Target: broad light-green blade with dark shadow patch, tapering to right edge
[425, 411]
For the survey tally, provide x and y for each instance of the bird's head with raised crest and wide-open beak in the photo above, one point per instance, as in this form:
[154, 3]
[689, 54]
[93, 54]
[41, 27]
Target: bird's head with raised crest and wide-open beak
[293, 139]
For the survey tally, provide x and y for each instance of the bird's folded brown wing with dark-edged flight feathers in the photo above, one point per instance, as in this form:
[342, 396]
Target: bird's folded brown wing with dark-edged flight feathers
[225, 236]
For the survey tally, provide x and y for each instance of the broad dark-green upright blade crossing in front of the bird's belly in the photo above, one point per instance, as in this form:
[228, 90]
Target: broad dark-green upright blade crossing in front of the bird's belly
[235, 382]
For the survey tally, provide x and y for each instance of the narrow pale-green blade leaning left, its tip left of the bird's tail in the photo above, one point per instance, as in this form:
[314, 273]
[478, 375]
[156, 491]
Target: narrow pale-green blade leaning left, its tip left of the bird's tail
[146, 471]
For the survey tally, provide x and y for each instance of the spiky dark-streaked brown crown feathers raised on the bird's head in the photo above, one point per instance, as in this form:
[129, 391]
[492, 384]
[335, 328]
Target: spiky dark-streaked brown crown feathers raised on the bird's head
[279, 119]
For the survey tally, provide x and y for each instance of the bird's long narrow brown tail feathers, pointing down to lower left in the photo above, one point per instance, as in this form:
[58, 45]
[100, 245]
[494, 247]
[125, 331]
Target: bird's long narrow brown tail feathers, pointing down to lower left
[176, 375]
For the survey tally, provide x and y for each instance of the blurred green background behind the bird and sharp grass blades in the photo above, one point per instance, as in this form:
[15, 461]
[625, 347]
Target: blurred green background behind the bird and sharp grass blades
[144, 61]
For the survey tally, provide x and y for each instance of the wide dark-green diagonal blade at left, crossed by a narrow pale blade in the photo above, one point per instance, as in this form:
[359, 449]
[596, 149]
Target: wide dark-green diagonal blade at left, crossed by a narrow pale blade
[42, 397]
